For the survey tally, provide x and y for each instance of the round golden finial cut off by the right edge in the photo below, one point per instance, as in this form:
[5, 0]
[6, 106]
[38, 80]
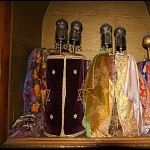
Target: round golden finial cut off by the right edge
[146, 44]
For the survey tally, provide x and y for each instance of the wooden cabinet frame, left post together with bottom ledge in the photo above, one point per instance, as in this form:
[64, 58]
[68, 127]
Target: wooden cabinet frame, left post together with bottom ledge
[5, 70]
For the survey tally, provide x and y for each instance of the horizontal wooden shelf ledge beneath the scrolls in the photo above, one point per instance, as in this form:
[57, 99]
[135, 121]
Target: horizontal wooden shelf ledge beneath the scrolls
[76, 142]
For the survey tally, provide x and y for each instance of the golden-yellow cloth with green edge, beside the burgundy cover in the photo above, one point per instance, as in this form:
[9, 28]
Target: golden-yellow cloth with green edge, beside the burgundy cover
[96, 97]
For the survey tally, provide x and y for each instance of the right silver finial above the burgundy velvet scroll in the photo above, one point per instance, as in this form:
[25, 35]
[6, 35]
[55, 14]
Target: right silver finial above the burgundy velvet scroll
[75, 34]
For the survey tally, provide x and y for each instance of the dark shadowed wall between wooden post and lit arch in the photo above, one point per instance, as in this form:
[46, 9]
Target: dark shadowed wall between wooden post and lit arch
[26, 35]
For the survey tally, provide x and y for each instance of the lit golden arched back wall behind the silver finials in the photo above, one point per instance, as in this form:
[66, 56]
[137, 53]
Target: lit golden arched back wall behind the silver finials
[132, 15]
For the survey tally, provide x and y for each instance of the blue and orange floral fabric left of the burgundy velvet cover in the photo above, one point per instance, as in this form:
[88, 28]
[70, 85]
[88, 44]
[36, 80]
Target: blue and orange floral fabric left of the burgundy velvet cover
[34, 91]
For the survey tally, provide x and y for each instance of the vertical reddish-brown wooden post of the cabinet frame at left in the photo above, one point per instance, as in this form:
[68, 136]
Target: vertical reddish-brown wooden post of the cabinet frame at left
[5, 50]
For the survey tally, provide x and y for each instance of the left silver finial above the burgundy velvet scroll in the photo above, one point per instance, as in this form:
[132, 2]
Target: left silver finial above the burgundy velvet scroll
[61, 34]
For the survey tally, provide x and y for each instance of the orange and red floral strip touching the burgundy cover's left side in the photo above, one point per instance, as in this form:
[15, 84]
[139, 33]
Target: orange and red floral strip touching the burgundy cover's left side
[39, 80]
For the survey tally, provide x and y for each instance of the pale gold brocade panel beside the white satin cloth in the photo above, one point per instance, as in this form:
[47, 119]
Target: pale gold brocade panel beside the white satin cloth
[125, 107]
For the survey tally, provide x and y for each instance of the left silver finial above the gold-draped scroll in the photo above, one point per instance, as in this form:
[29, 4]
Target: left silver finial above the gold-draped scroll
[106, 35]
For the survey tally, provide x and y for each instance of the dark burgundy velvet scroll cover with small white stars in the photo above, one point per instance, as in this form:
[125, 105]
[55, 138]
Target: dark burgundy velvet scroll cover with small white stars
[76, 70]
